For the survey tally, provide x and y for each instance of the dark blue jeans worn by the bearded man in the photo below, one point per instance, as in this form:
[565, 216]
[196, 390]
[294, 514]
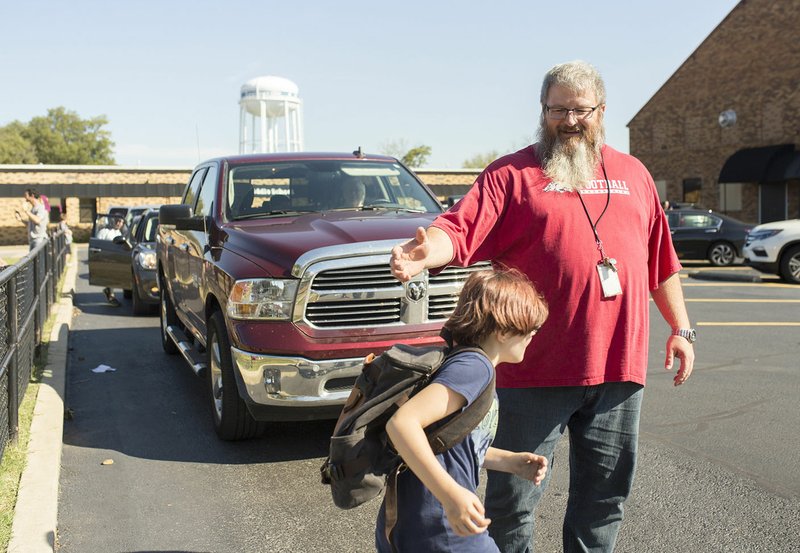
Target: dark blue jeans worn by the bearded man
[603, 422]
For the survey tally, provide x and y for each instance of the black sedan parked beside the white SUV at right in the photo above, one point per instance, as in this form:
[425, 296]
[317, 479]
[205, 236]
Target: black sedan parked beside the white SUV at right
[704, 234]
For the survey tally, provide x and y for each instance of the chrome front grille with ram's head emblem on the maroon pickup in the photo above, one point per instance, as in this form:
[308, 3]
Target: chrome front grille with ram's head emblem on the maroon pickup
[370, 296]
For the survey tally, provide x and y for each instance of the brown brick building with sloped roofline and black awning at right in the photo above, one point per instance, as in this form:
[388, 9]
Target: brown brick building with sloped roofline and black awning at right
[723, 131]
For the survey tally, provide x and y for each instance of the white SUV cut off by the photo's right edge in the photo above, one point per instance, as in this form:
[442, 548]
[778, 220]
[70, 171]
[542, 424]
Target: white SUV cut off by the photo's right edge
[775, 248]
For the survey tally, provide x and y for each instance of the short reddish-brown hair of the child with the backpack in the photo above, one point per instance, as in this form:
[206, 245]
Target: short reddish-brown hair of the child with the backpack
[502, 300]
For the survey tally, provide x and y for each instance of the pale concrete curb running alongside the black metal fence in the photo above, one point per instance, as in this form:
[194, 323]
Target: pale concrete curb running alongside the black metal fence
[36, 511]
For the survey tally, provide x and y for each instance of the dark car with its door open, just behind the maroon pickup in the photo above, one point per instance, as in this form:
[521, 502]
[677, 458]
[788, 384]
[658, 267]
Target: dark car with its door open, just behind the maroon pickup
[128, 261]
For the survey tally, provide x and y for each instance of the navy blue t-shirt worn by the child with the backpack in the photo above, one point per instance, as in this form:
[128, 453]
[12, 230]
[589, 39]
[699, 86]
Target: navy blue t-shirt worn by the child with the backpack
[422, 524]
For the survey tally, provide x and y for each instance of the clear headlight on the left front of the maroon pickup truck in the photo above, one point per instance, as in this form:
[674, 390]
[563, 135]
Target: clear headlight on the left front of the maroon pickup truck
[262, 298]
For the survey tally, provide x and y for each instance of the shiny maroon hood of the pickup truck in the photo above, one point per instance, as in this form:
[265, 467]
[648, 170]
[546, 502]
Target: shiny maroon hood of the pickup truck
[275, 243]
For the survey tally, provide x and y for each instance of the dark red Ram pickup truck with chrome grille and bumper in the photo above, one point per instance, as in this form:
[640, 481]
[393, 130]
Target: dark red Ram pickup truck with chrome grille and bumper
[275, 280]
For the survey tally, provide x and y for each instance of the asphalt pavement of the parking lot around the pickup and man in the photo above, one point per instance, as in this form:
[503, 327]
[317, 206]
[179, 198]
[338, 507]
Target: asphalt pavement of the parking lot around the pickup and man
[717, 467]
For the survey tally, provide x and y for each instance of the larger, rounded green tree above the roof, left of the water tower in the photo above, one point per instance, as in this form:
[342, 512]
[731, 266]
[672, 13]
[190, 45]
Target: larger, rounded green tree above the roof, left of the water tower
[62, 137]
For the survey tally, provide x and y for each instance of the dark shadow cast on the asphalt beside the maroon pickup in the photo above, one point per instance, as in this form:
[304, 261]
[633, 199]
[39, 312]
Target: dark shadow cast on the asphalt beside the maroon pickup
[153, 406]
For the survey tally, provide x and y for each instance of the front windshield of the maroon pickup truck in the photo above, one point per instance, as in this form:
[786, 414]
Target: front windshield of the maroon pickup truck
[285, 188]
